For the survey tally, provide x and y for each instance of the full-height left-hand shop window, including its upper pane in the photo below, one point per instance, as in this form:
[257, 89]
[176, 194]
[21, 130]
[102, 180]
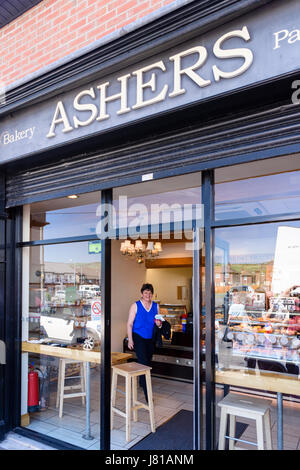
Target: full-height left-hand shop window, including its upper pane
[61, 318]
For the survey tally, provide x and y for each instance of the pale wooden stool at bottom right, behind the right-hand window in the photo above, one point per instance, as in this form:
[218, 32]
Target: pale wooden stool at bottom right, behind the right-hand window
[246, 407]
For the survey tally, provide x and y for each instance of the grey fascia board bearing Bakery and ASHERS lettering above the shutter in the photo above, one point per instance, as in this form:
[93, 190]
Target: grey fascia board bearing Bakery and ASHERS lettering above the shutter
[260, 46]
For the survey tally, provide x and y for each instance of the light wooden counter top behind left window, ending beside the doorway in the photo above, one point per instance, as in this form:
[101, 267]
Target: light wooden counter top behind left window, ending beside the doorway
[76, 353]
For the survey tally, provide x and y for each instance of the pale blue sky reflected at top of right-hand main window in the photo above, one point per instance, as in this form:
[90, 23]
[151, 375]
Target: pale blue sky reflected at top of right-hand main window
[248, 244]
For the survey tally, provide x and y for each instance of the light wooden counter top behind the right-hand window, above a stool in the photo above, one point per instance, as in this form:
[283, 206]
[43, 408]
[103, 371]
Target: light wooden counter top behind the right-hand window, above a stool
[279, 383]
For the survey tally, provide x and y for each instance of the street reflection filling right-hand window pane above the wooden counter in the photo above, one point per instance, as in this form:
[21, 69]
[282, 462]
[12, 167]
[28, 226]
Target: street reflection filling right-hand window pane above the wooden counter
[257, 284]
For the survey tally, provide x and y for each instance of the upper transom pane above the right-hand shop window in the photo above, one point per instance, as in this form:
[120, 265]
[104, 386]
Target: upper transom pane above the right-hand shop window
[268, 187]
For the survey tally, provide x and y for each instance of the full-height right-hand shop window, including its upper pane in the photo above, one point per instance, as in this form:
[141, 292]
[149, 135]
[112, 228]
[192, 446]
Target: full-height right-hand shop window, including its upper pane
[257, 298]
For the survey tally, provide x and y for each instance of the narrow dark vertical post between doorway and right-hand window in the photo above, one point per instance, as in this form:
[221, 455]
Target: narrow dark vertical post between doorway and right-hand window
[208, 202]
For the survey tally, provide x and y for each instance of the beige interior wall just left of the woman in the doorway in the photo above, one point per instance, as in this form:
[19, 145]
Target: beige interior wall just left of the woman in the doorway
[127, 279]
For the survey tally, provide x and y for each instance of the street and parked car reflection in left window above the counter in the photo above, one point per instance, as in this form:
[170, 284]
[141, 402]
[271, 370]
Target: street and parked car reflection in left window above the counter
[64, 280]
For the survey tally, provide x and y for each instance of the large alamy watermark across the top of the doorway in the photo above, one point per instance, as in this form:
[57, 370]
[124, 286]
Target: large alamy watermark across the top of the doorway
[123, 219]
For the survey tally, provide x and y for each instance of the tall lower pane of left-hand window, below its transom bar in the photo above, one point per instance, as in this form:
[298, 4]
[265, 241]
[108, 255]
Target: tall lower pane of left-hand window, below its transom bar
[61, 312]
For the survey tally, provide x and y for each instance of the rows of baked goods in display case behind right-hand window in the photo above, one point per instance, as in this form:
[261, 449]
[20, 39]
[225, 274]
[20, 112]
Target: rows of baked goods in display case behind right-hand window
[266, 335]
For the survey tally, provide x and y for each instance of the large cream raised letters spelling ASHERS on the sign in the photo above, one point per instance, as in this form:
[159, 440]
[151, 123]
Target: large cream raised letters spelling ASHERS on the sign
[97, 109]
